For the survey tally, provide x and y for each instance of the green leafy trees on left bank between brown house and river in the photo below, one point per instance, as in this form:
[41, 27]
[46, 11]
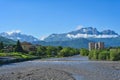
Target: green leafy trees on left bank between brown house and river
[58, 51]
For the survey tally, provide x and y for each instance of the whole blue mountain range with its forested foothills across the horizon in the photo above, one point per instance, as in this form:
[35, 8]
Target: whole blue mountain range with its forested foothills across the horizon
[77, 39]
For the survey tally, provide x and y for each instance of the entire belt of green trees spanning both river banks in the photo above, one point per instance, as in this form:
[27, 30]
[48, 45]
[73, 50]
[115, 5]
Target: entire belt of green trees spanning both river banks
[58, 51]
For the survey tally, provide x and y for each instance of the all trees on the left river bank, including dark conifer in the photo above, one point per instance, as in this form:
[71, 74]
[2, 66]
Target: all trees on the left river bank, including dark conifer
[45, 51]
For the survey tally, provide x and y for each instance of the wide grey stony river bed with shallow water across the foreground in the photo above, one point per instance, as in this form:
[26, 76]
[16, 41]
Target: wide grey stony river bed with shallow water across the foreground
[69, 68]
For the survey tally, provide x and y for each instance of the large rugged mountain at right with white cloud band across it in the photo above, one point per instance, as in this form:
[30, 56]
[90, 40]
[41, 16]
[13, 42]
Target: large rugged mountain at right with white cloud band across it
[88, 32]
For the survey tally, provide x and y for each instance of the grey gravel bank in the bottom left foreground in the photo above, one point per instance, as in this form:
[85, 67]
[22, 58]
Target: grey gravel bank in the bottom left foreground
[37, 74]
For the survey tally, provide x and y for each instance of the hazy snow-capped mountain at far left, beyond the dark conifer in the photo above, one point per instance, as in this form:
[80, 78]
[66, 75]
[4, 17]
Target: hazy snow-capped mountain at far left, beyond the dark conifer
[17, 35]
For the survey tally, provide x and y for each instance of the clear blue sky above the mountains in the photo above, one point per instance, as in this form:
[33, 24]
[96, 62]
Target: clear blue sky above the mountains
[44, 17]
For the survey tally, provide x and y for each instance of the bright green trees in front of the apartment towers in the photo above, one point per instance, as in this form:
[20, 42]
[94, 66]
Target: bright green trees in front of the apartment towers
[106, 54]
